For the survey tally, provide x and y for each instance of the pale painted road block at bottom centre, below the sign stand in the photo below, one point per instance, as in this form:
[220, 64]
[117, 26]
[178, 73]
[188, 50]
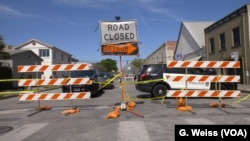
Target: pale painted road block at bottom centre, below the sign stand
[132, 131]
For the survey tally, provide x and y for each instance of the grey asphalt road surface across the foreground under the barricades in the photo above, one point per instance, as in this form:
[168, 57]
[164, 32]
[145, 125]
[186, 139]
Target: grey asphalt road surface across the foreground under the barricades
[151, 120]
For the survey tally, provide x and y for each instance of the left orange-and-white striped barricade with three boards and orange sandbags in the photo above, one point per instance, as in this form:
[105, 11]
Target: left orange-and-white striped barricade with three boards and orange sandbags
[38, 96]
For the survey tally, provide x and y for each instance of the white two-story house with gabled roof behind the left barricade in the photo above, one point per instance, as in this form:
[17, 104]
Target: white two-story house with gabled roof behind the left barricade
[49, 54]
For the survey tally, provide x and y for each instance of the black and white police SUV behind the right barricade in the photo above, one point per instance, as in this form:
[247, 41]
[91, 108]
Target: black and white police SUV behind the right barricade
[158, 87]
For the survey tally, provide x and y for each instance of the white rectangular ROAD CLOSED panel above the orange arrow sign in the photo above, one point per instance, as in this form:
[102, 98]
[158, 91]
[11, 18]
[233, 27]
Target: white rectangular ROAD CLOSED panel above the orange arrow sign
[118, 32]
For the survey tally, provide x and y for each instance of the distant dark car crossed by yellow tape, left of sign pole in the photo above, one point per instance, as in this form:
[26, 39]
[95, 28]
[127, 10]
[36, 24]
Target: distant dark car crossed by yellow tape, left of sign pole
[106, 77]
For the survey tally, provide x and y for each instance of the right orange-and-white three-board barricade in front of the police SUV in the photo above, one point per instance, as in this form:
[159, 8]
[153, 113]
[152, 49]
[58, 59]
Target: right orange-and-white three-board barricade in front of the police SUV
[202, 78]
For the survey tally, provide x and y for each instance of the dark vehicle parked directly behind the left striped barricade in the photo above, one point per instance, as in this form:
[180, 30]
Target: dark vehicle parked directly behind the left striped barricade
[94, 88]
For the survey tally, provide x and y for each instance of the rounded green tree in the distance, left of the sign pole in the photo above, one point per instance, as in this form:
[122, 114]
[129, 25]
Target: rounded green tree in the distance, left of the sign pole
[108, 65]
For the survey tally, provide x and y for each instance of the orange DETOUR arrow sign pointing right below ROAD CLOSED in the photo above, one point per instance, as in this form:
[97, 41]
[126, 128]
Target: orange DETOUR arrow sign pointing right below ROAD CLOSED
[120, 49]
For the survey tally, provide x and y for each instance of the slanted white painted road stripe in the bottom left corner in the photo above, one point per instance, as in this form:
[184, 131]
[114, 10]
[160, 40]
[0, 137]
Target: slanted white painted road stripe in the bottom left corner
[22, 132]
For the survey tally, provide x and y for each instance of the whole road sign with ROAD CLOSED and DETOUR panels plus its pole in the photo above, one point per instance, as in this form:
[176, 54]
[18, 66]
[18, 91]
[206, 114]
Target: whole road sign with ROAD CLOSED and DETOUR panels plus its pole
[119, 38]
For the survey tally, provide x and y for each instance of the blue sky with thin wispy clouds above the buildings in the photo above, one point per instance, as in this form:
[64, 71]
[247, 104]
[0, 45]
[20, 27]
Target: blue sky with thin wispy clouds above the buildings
[73, 25]
